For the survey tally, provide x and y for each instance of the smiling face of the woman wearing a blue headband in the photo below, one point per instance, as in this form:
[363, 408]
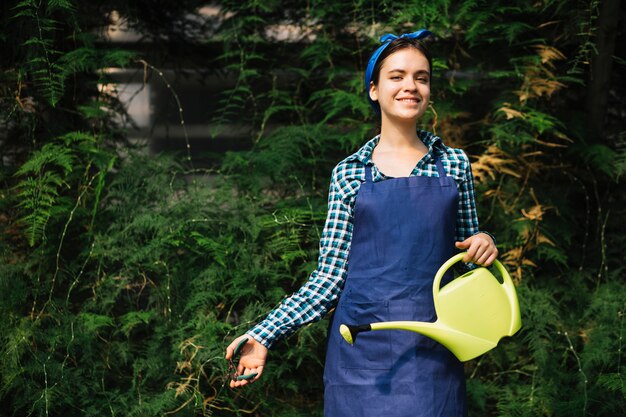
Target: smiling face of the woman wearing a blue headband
[403, 89]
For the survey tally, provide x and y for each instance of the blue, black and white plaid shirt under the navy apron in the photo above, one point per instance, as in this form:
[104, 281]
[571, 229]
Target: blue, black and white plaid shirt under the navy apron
[320, 293]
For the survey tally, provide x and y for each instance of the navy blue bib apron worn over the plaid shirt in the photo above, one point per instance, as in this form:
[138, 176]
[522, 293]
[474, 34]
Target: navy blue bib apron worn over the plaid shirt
[403, 232]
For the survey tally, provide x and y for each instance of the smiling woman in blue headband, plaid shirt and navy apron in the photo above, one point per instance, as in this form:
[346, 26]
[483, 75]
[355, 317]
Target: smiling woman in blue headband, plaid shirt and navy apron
[397, 207]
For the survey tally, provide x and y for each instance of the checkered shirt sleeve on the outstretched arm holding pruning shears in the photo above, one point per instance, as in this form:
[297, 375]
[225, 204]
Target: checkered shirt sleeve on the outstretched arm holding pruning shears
[319, 294]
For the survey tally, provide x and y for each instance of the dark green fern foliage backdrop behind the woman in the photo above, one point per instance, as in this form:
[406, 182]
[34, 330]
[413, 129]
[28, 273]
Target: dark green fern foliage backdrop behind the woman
[164, 172]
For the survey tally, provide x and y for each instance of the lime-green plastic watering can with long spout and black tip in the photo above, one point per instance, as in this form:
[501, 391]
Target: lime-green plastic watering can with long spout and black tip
[474, 311]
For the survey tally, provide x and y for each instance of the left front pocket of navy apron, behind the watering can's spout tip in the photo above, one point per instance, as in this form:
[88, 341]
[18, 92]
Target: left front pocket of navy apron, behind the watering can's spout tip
[372, 350]
